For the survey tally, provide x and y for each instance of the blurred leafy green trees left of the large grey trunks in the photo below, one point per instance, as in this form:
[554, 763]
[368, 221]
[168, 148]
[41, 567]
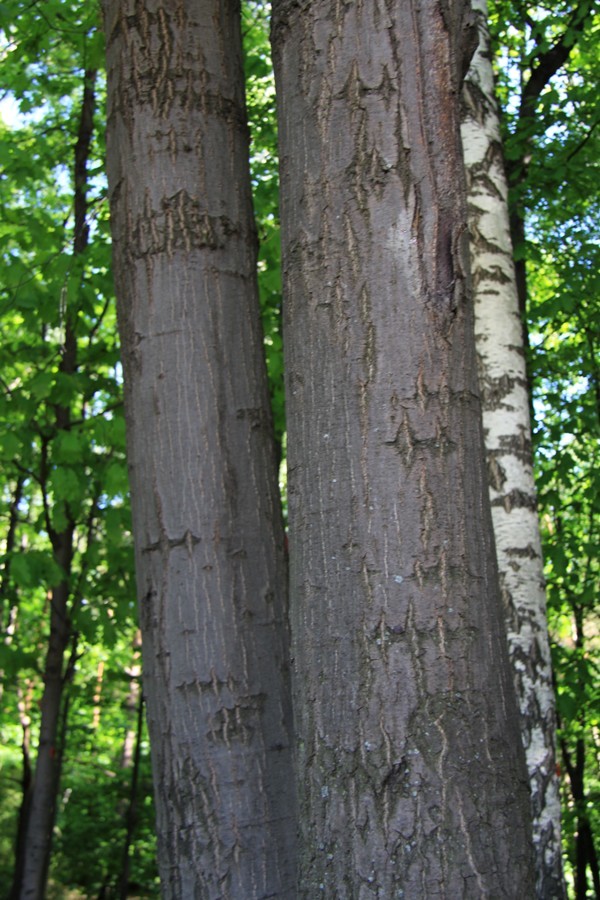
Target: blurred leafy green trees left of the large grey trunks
[65, 586]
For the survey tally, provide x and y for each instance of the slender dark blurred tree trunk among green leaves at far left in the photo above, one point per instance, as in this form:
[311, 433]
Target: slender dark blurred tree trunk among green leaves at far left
[39, 799]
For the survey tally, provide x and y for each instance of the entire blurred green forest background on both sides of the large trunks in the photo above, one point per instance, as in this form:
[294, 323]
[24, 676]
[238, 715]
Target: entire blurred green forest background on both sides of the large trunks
[64, 512]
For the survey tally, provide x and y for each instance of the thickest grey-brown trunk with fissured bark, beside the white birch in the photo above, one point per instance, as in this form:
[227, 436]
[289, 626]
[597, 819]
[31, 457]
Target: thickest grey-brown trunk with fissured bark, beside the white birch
[411, 771]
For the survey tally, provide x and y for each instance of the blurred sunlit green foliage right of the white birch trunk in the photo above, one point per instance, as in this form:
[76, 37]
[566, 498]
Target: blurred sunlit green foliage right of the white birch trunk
[548, 69]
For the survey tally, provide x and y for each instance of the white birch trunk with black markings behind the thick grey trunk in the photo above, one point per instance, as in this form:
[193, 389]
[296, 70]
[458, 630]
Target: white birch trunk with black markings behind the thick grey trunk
[507, 431]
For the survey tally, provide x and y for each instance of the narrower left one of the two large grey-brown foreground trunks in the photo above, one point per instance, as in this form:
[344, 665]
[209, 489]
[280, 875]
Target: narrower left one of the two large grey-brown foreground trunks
[207, 522]
